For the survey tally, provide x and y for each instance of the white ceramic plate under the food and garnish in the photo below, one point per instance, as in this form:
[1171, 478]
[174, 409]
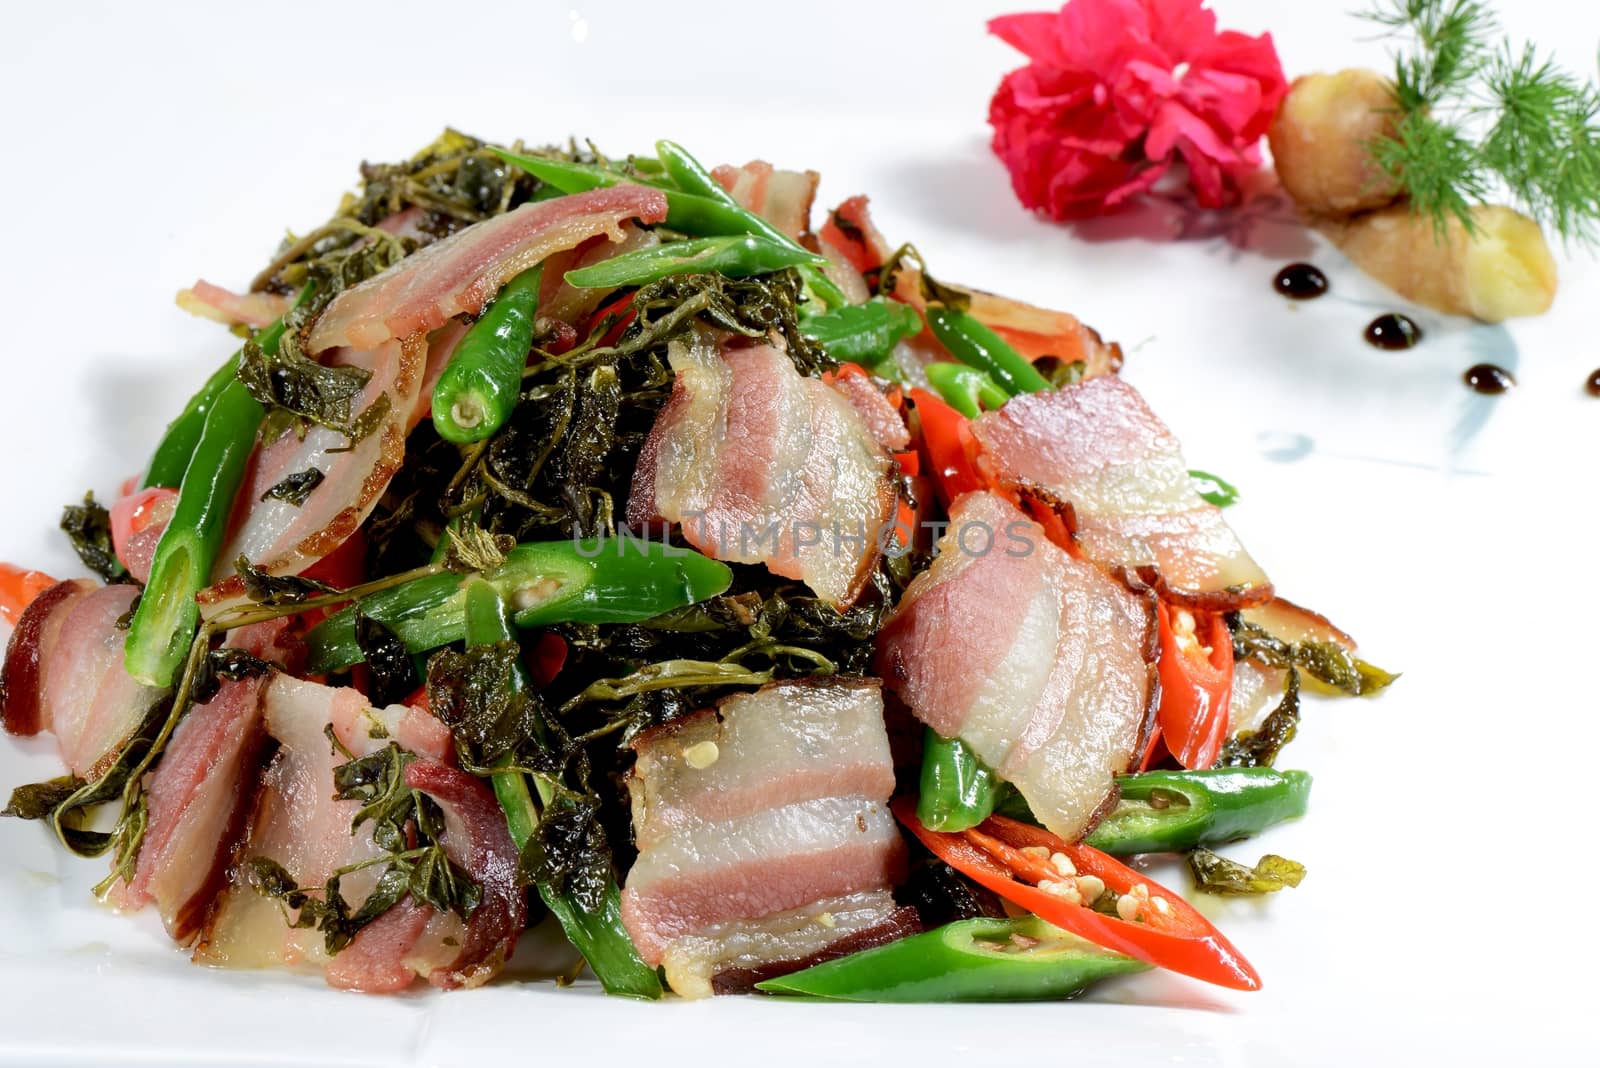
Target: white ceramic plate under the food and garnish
[1447, 914]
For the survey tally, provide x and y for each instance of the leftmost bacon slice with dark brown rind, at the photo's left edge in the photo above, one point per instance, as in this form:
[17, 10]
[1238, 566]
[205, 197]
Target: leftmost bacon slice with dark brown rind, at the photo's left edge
[65, 674]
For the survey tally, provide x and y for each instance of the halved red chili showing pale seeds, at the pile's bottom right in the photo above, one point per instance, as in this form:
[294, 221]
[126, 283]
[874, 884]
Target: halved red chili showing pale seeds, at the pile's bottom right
[1175, 938]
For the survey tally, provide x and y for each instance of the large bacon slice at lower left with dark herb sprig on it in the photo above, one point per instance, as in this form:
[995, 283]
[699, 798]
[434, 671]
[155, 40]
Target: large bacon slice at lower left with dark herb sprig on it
[300, 826]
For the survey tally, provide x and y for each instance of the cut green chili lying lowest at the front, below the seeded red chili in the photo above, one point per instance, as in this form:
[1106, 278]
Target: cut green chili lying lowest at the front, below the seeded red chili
[972, 960]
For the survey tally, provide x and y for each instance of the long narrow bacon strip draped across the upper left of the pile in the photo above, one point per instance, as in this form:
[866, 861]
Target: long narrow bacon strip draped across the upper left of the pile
[465, 271]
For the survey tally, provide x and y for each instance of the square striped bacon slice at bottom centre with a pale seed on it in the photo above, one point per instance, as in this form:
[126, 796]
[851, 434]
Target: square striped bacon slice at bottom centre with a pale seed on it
[746, 816]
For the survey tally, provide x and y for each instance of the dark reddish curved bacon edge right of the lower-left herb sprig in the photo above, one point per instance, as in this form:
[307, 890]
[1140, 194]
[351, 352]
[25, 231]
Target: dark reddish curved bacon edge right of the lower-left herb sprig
[478, 840]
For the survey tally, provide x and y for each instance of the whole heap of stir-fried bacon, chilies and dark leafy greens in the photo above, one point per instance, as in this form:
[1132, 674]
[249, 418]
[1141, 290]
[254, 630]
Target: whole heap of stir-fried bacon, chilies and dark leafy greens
[594, 540]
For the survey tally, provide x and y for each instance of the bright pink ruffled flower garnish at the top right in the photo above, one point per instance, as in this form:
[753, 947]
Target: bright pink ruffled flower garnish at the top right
[1116, 90]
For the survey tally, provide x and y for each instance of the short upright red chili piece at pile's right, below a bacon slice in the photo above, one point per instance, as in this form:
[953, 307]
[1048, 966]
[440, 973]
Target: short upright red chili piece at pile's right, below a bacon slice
[1196, 688]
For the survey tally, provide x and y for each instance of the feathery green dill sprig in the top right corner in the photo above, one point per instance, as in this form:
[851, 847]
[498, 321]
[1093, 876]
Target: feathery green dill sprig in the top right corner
[1479, 119]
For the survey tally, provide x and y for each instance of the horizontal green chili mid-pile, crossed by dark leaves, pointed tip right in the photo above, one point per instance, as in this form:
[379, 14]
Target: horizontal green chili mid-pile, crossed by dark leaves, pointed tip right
[593, 581]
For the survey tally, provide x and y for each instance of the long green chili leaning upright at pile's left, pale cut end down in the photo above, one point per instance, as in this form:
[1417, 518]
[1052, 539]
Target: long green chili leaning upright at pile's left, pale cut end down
[166, 621]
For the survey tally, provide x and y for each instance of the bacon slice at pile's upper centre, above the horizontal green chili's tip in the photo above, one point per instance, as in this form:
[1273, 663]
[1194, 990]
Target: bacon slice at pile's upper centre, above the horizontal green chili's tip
[764, 466]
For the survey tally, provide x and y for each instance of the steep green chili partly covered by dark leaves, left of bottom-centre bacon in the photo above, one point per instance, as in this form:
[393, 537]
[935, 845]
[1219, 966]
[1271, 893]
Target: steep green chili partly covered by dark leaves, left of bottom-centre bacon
[601, 938]
